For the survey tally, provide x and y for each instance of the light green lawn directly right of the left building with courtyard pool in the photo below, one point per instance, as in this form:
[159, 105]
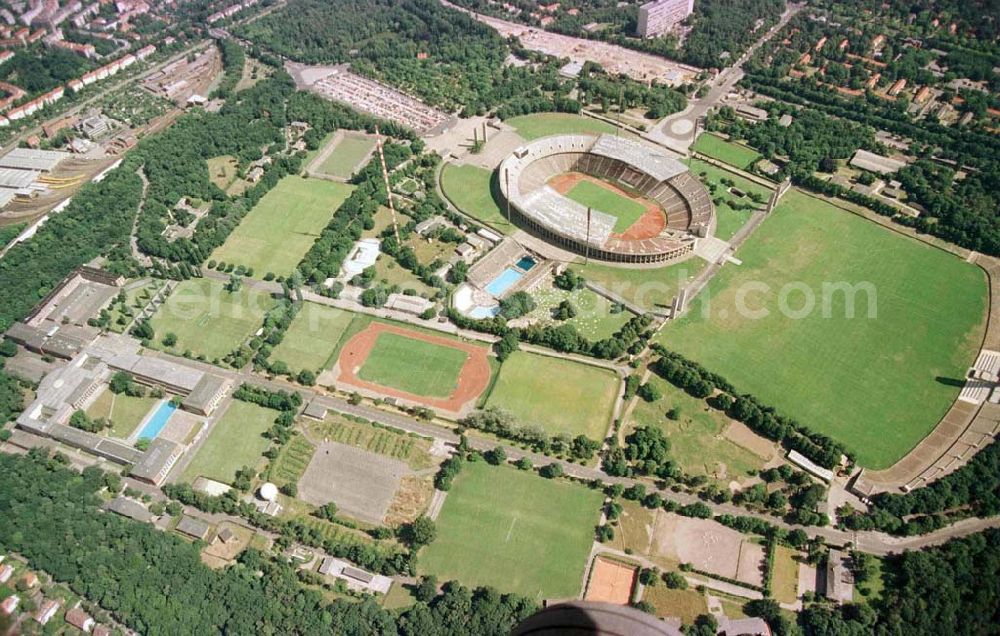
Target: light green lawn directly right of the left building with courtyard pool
[235, 441]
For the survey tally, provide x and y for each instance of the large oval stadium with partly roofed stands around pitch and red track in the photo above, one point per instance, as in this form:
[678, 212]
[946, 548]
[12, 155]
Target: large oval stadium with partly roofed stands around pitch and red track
[606, 197]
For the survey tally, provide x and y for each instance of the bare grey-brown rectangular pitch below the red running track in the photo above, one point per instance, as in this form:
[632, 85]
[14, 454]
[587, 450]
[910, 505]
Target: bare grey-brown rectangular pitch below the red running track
[362, 484]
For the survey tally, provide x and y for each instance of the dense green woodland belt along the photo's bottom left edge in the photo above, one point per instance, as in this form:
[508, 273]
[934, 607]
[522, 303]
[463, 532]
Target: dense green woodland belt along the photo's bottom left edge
[155, 583]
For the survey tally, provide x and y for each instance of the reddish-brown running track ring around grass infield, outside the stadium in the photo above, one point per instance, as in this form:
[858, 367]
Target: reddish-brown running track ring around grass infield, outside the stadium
[473, 379]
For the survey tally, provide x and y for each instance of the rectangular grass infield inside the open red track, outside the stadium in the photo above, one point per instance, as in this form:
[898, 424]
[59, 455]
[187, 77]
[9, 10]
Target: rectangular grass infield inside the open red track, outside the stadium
[414, 366]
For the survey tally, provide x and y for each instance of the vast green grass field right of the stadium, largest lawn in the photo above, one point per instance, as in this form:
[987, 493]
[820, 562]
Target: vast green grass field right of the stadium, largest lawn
[878, 382]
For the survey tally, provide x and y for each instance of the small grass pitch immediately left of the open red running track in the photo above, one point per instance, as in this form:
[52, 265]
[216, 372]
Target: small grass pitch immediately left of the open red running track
[313, 338]
